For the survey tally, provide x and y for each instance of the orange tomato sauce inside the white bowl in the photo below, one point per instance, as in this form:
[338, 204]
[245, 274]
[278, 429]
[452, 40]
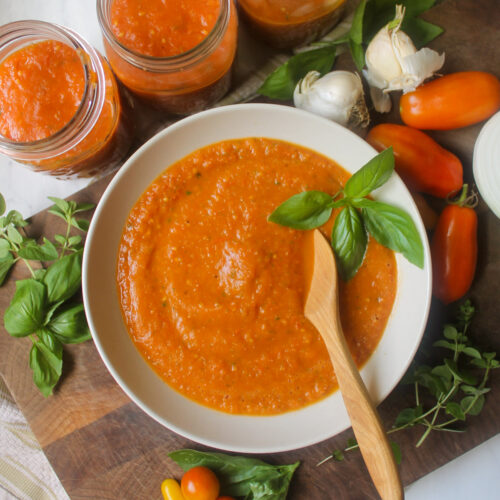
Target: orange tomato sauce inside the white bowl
[212, 293]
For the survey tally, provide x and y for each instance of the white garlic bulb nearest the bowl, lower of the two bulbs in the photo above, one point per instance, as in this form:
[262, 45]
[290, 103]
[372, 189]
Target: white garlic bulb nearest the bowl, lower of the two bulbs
[337, 96]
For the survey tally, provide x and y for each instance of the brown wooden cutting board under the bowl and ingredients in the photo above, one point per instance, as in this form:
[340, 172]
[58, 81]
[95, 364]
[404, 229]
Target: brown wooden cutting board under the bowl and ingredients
[102, 446]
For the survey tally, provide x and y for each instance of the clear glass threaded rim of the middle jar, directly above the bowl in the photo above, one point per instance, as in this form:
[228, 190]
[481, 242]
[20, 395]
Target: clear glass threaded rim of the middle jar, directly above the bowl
[167, 64]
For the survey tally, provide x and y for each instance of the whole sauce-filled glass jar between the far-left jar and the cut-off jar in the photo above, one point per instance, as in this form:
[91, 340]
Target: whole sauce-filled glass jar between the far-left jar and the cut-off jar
[176, 55]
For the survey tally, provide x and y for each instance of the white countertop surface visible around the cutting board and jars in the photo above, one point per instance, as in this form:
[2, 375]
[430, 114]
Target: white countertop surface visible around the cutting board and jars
[474, 475]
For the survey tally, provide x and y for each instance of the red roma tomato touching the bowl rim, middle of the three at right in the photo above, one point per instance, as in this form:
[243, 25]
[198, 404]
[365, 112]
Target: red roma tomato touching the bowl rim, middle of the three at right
[422, 163]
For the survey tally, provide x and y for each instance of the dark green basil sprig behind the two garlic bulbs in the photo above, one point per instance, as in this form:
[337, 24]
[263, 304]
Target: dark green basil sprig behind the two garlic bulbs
[369, 17]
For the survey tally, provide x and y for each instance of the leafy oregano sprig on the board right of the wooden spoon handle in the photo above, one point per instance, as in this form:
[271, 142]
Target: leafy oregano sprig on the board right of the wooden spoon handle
[457, 385]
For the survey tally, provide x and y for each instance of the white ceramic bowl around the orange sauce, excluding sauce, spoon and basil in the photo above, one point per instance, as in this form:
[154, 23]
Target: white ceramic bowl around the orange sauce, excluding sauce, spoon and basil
[246, 434]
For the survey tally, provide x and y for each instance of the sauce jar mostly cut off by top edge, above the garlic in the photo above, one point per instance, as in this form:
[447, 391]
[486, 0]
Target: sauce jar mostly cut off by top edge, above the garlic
[290, 23]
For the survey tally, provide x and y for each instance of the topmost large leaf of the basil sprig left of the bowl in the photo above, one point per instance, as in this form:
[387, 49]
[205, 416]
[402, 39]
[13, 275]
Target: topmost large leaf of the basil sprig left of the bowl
[63, 277]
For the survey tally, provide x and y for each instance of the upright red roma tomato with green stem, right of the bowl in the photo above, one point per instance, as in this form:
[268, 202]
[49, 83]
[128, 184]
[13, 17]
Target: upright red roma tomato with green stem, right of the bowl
[454, 251]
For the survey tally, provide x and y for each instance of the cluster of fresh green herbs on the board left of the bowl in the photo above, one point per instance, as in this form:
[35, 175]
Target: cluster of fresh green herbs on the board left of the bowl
[43, 307]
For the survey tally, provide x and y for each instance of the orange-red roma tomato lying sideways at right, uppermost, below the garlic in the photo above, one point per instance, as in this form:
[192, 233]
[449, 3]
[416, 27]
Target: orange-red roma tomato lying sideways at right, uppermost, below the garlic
[452, 101]
